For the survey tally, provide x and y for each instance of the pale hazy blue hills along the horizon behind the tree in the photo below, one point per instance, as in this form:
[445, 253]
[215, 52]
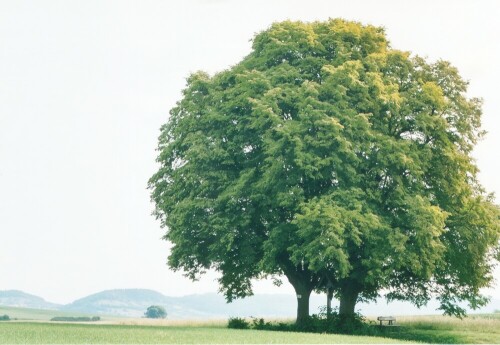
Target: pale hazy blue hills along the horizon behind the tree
[134, 302]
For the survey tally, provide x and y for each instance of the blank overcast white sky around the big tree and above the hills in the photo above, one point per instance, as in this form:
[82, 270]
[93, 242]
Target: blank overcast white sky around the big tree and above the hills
[85, 86]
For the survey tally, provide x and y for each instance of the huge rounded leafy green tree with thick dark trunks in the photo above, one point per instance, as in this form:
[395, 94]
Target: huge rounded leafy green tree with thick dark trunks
[327, 157]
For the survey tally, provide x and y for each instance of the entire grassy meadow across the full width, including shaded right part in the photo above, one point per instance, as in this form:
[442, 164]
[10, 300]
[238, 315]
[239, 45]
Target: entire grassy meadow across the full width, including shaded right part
[32, 327]
